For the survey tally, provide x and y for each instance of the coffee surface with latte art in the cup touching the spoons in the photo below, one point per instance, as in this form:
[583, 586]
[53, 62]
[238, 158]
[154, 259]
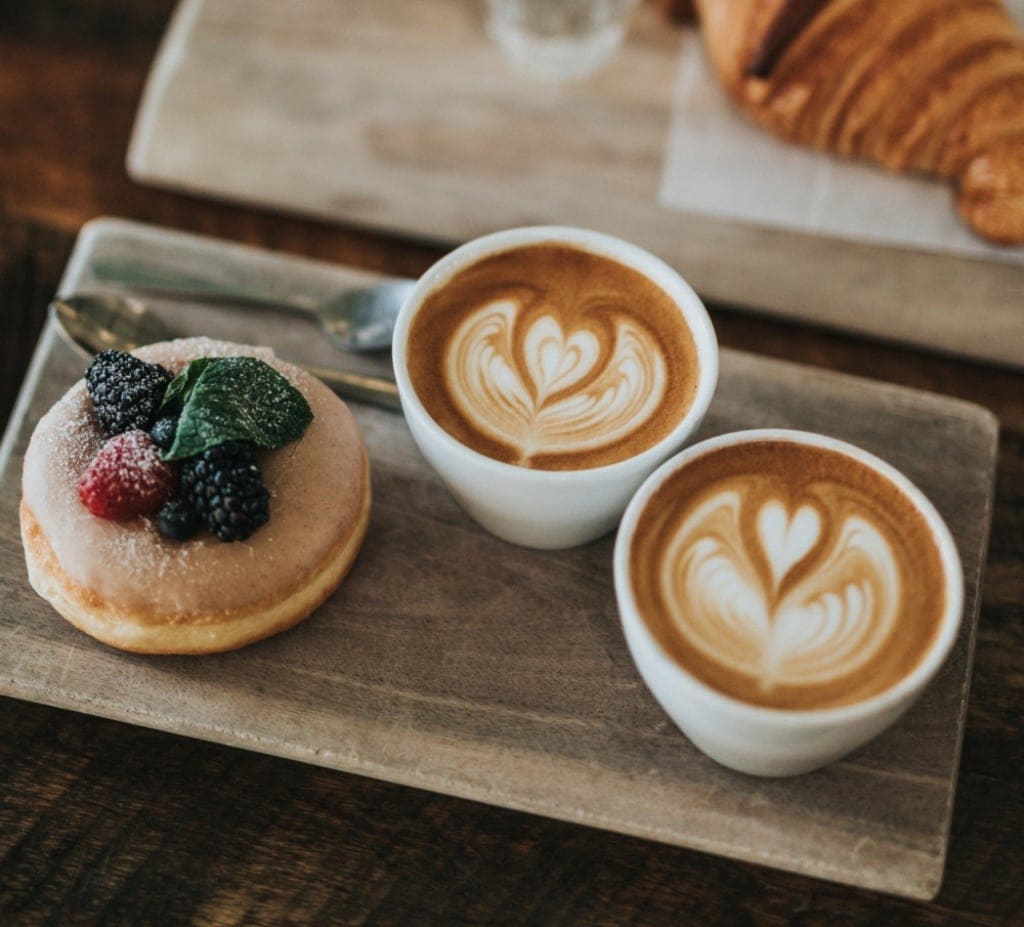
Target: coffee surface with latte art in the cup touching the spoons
[553, 358]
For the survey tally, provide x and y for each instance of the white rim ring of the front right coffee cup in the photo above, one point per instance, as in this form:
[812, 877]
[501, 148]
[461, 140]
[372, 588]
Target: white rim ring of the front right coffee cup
[913, 683]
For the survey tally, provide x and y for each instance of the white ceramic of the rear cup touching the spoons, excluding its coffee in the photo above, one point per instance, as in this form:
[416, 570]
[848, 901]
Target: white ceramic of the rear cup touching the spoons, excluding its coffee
[548, 510]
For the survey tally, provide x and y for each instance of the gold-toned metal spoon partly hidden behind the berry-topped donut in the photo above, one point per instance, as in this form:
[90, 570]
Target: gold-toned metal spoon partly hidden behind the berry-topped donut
[101, 321]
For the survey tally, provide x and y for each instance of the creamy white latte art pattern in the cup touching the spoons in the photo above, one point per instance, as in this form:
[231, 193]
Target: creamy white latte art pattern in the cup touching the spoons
[547, 391]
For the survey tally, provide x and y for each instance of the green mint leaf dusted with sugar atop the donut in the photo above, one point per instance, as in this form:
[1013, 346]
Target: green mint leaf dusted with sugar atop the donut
[235, 399]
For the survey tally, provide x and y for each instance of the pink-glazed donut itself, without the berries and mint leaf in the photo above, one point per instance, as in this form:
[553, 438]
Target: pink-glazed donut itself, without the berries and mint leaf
[129, 586]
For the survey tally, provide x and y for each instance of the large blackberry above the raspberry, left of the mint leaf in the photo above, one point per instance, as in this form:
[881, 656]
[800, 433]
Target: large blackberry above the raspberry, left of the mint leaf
[126, 392]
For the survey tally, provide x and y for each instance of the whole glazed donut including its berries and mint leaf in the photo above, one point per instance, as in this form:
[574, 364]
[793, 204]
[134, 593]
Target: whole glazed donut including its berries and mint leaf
[193, 497]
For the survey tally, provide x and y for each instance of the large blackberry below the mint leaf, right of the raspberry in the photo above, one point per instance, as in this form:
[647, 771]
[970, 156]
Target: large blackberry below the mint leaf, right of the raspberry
[225, 487]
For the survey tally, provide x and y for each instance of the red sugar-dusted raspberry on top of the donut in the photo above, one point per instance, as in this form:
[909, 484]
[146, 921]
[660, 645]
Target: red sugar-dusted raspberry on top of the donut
[126, 479]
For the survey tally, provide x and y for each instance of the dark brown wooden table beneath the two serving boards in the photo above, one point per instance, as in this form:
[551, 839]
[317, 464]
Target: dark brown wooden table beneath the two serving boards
[103, 823]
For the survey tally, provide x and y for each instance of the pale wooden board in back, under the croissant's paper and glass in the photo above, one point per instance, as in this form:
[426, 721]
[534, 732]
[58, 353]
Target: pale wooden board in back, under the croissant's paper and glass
[399, 115]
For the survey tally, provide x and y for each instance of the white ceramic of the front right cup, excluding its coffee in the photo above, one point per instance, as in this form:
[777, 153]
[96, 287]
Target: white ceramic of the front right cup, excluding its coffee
[765, 741]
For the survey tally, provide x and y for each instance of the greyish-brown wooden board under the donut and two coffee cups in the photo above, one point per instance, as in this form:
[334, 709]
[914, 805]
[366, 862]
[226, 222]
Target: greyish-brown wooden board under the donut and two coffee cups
[454, 662]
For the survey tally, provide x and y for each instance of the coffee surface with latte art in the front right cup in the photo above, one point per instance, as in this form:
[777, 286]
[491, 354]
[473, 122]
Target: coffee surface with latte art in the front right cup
[788, 576]
